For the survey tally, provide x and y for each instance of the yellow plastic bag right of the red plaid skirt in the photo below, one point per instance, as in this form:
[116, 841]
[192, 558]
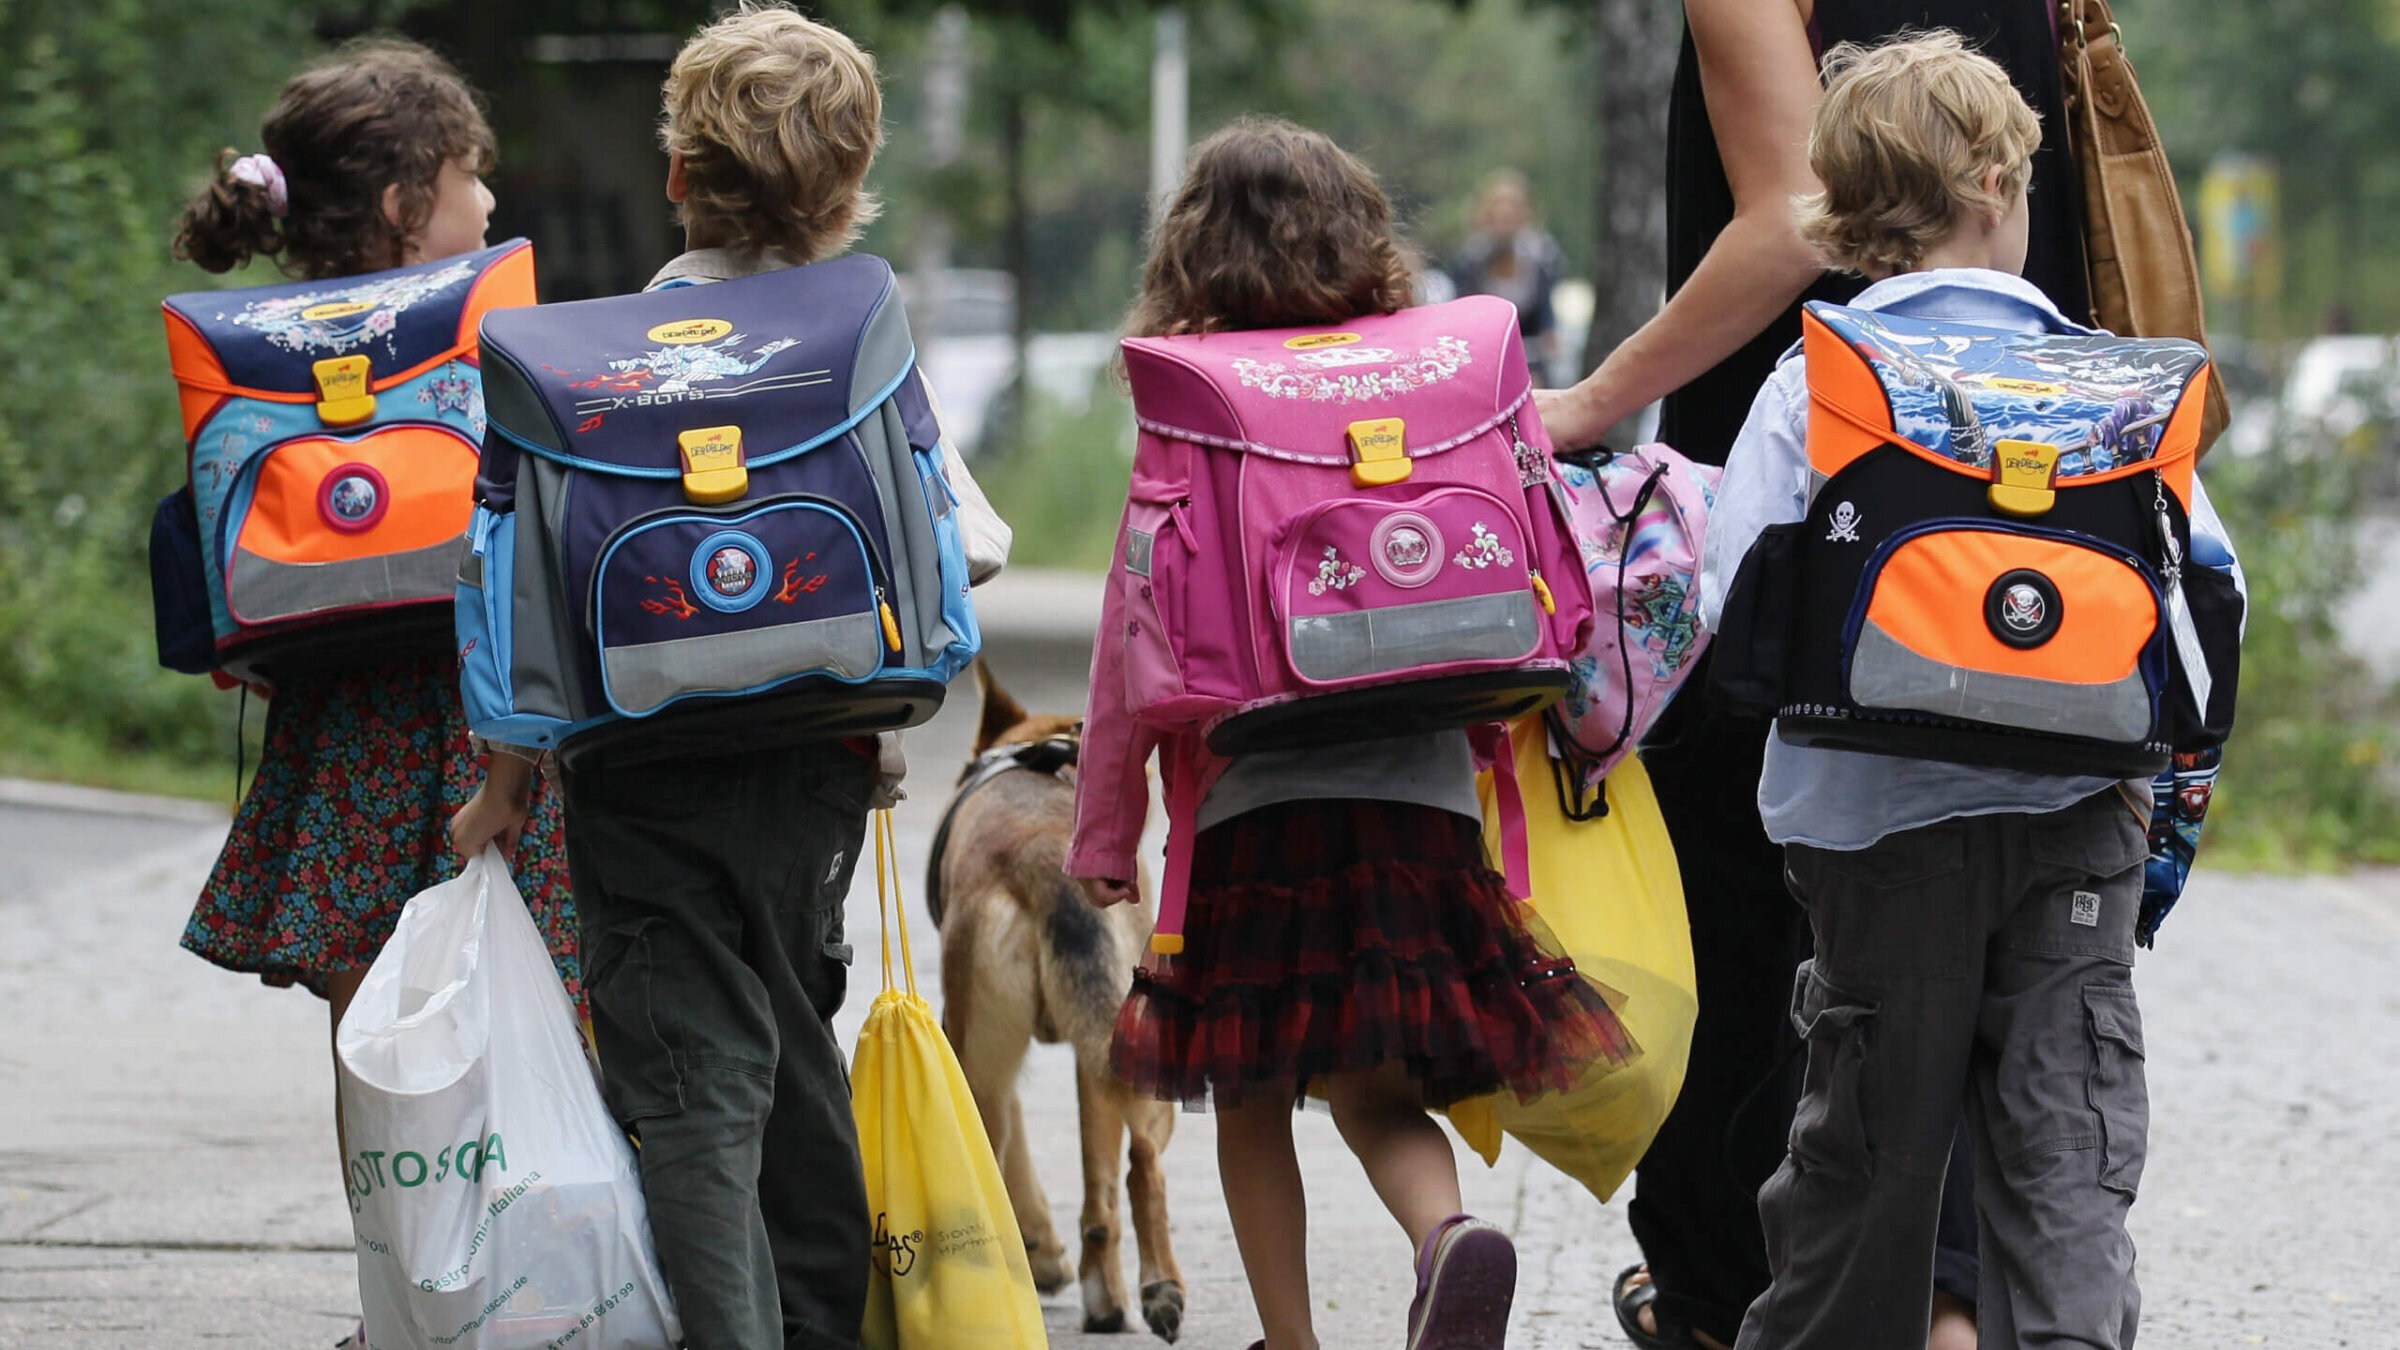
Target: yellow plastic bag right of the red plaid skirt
[1614, 900]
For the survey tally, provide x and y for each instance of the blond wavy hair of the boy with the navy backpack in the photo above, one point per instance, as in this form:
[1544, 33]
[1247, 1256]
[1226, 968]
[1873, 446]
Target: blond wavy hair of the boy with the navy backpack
[779, 121]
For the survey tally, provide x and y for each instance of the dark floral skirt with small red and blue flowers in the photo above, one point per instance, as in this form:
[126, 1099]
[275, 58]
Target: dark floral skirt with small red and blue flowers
[349, 818]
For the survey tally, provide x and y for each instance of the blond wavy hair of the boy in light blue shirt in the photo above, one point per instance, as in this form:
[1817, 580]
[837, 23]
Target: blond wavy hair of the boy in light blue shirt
[1902, 143]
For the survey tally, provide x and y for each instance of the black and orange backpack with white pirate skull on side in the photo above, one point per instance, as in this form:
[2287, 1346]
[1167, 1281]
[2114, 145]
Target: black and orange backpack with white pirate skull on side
[1996, 566]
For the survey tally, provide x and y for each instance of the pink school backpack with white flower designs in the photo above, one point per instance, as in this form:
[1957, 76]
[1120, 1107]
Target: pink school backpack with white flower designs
[1340, 534]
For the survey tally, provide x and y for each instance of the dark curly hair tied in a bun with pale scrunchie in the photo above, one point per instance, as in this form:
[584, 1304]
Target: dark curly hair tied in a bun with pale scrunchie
[376, 114]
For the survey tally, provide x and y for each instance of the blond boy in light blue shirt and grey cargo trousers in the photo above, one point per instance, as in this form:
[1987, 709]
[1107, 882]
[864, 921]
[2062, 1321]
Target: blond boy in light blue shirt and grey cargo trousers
[1974, 926]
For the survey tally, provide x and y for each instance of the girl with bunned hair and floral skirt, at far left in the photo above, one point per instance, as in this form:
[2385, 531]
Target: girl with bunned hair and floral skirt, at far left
[371, 160]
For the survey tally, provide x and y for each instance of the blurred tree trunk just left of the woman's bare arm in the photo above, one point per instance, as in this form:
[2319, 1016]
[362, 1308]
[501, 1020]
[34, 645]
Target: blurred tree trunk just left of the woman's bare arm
[1636, 54]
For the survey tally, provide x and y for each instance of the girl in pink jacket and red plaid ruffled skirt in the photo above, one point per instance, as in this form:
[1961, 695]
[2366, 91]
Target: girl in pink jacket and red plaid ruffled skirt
[1345, 933]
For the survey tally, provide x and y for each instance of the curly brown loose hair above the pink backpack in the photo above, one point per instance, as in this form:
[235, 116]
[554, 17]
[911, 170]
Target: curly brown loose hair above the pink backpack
[1273, 227]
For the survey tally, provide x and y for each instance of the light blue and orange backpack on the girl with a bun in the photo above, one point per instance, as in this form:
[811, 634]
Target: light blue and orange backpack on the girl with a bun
[332, 434]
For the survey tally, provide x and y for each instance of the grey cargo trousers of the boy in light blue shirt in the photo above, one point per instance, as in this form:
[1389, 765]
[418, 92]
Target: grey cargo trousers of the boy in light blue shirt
[1981, 962]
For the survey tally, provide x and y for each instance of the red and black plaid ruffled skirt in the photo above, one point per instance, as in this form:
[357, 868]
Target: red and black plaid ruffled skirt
[1338, 936]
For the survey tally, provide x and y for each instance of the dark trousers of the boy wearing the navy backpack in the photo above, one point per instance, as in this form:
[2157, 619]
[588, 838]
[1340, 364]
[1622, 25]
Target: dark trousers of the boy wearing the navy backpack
[712, 900]
